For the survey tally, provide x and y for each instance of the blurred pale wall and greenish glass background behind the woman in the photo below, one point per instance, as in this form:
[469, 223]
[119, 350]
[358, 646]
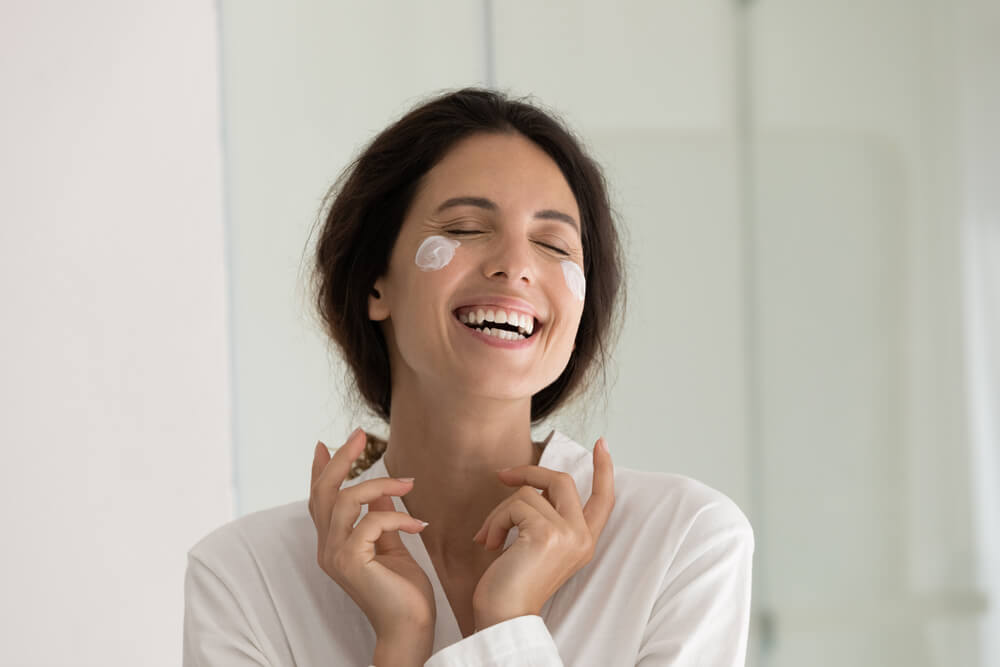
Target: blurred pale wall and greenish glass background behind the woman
[810, 193]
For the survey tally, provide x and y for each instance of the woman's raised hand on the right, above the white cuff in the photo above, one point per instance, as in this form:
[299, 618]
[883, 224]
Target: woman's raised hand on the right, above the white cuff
[555, 538]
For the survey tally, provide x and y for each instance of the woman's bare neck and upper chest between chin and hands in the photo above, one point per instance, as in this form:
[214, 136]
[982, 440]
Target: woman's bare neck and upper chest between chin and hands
[452, 445]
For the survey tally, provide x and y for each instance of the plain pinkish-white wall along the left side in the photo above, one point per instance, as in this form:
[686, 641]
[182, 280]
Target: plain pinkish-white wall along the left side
[114, 391]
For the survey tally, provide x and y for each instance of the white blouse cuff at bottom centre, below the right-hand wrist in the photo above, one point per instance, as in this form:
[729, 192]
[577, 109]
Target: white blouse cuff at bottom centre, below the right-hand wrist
[517, 642]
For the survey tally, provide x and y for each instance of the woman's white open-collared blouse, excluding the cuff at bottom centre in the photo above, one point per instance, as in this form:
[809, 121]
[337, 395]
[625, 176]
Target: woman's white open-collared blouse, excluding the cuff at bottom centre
[669, 584]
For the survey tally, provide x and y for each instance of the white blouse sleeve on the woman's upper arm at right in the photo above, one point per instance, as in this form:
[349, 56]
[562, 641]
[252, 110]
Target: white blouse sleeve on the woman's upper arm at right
[702, 613]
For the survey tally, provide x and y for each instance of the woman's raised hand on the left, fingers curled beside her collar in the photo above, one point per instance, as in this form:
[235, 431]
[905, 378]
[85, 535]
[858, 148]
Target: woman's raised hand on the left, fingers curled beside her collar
[369, 561]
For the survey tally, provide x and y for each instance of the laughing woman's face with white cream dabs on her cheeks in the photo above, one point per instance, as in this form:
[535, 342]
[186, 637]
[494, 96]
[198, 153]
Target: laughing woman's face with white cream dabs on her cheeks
[516, 225]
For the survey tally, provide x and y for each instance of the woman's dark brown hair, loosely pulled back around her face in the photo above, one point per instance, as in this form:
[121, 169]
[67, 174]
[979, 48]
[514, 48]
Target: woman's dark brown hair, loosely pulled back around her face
[365, 209]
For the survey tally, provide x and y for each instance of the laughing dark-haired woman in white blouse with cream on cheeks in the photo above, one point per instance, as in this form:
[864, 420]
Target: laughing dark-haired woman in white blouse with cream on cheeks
[469, 270]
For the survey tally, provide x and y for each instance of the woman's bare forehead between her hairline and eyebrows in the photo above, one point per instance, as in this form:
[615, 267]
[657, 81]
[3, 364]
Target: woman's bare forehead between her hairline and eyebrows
[507, 168]
